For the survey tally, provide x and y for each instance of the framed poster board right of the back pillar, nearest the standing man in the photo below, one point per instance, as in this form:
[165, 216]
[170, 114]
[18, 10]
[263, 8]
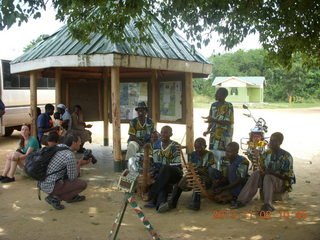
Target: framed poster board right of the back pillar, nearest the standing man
[170, 101]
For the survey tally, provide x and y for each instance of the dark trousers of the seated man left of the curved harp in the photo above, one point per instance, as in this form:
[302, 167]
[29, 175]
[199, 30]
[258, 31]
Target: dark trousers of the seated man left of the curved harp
[167, 175]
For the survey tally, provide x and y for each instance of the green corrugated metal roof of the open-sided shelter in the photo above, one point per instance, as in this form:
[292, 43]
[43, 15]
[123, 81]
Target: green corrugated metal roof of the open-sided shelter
[163, 46]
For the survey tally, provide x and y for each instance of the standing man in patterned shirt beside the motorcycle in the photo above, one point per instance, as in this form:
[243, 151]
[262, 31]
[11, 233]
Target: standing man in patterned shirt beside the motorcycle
[220, 125]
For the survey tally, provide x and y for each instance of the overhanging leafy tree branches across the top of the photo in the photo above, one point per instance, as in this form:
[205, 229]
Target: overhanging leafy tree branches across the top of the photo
[285, 27]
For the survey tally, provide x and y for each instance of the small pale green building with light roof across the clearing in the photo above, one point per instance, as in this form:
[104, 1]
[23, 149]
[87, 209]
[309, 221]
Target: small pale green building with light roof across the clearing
[242, 89]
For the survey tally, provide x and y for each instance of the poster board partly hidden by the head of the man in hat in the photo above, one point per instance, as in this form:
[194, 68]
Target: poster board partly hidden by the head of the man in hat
[131, 93]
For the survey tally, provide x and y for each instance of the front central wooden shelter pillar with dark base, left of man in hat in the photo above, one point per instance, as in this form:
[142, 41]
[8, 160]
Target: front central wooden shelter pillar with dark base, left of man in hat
[115, 101]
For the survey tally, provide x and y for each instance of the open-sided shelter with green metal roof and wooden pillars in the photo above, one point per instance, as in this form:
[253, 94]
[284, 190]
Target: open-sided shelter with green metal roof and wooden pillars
[109, 79]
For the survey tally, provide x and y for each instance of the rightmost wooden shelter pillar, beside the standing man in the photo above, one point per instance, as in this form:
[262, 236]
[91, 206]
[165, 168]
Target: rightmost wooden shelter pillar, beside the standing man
[189, 113]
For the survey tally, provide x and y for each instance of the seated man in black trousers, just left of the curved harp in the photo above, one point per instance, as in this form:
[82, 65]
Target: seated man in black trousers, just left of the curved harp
[166, 156]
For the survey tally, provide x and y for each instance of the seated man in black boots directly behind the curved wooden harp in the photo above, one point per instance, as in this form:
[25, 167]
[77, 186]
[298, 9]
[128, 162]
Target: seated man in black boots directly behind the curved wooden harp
[202, 159]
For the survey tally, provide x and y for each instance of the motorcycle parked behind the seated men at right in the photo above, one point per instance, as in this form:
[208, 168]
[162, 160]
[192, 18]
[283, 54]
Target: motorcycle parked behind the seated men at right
[256, 144]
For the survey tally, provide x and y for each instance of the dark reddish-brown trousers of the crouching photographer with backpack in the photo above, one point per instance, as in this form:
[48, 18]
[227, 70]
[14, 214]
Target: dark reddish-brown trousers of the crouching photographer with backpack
[66, 189]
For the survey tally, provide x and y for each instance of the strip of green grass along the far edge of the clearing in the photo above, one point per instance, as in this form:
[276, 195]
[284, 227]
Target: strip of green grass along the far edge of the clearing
[205, 102]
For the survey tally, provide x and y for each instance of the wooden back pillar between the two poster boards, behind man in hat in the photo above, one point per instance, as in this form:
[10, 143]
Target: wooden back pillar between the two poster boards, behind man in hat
[155, 98]
